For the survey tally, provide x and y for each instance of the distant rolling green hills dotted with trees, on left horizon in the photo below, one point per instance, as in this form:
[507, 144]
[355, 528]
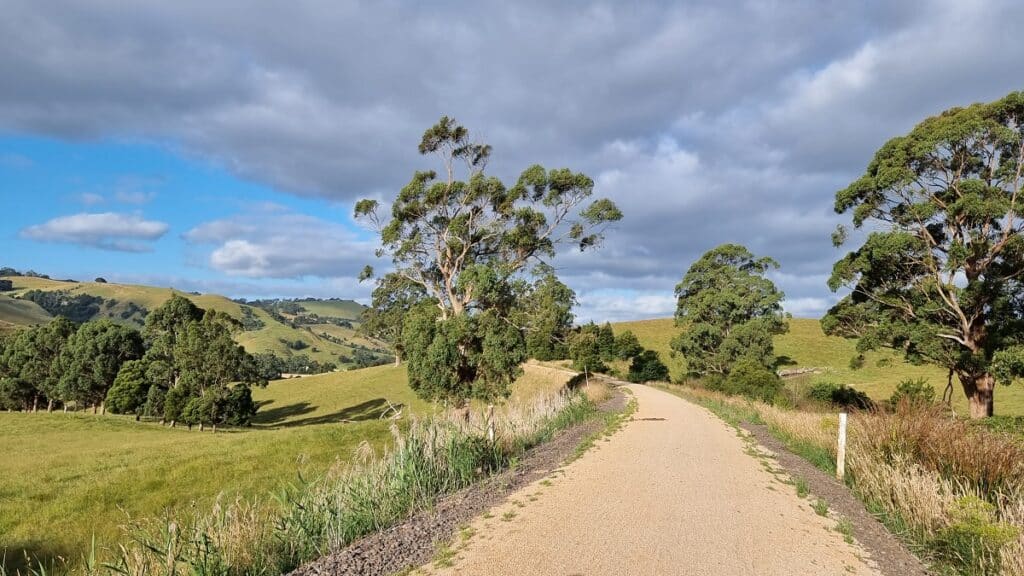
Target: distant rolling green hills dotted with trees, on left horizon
[324, 331]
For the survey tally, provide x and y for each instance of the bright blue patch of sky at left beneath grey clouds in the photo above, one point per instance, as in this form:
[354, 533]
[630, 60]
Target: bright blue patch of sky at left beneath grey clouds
[47, 181]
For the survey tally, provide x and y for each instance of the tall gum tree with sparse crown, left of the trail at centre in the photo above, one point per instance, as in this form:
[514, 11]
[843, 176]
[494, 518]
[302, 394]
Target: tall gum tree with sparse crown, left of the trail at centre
[466, 239]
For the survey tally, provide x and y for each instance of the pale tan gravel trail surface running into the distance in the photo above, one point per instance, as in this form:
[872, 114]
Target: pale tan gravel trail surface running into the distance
[676, 491]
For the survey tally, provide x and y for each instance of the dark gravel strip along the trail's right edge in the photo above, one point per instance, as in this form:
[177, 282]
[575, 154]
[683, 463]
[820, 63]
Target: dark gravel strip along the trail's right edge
[888, 553]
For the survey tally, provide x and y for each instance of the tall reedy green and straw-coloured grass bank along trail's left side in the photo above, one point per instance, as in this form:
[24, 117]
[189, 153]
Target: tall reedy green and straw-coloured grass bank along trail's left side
[271, 534]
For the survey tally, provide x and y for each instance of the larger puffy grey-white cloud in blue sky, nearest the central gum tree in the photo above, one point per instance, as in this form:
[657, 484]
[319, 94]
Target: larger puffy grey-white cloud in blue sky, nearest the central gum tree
[275, 242]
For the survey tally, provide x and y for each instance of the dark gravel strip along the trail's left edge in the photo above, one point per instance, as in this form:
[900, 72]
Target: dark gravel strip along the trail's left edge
[415, 542]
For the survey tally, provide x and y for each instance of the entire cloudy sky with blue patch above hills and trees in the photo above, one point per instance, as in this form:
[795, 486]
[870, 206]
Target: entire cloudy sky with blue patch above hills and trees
[220, 147]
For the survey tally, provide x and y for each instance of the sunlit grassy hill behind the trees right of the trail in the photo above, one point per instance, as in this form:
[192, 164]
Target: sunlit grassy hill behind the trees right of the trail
[807, 347]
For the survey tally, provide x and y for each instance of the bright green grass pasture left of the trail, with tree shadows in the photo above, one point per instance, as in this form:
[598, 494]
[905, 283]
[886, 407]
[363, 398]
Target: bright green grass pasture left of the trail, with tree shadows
[67, 477]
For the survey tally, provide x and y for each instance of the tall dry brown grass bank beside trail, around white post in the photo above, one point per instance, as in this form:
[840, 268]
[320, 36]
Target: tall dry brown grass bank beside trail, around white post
[953, 490]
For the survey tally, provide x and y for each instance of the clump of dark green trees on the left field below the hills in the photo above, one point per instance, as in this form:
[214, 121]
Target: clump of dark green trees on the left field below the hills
[184, 367]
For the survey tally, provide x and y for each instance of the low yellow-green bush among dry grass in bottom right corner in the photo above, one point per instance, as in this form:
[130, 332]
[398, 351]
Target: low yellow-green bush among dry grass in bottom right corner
[974, 541]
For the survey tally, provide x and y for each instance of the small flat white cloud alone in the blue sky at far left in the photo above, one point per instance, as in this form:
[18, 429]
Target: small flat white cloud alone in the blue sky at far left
[108, 231]
